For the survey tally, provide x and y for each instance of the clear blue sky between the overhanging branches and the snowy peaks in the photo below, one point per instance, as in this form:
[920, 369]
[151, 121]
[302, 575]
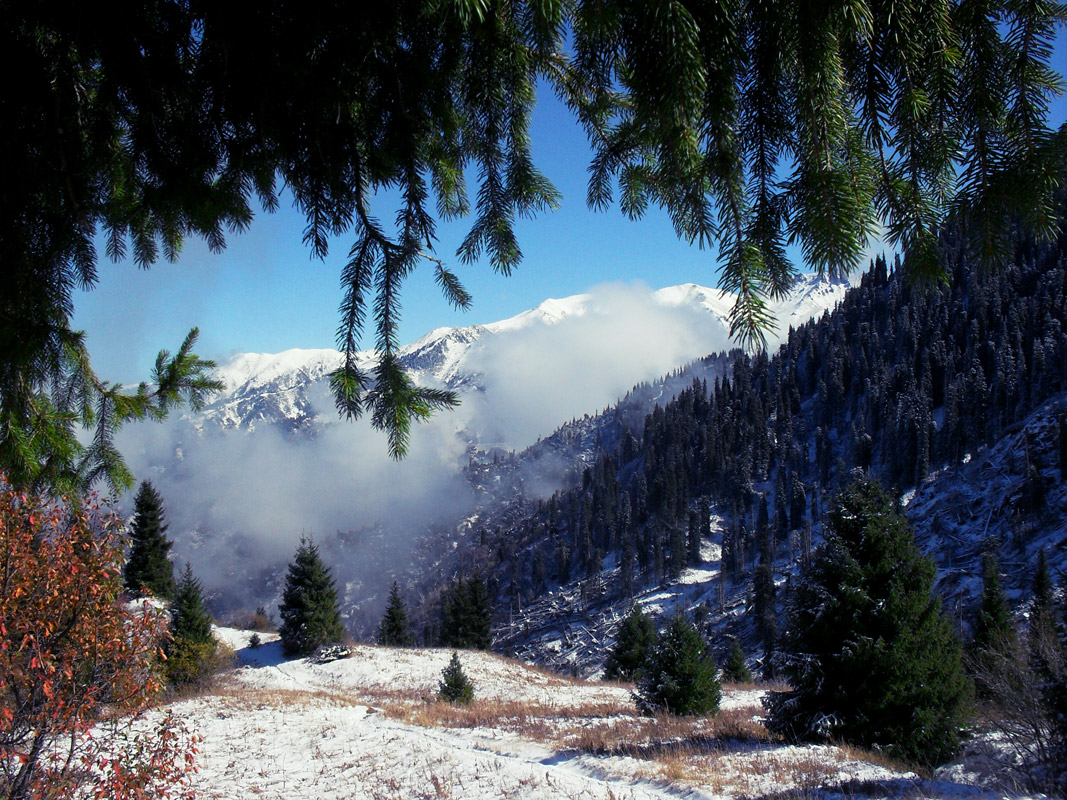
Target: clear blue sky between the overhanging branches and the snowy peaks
[266, 294]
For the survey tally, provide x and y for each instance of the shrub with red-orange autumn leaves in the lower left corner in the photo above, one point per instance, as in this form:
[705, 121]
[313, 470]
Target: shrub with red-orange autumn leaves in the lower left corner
[78, 666]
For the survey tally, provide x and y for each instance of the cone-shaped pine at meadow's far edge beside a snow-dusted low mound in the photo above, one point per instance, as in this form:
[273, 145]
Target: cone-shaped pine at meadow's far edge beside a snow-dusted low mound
[309, 611]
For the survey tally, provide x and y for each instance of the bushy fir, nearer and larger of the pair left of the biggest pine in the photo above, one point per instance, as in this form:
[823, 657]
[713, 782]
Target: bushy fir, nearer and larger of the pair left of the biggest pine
[679, 674]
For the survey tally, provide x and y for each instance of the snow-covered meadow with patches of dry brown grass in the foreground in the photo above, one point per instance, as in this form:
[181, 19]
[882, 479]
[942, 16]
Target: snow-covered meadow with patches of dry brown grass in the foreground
[367, 727]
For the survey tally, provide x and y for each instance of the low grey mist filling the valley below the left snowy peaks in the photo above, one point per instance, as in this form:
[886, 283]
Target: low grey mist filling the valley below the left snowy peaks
[238, 502]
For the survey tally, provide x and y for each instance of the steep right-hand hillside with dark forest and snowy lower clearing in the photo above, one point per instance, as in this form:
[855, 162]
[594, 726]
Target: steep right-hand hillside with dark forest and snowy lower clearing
[953, 395]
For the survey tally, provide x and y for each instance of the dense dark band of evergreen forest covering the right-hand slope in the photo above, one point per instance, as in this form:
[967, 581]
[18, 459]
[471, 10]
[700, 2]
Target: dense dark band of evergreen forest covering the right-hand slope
[902, 381]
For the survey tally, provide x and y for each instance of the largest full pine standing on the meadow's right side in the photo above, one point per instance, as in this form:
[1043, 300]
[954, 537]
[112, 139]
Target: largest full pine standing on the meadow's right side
[872, 659]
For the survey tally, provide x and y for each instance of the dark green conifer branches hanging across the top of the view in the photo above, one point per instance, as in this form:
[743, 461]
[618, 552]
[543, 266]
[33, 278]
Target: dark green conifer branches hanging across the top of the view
[752, 124]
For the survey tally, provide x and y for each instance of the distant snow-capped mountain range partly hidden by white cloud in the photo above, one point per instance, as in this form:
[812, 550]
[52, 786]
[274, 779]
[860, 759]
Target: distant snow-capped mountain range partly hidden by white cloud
[290, 390]
